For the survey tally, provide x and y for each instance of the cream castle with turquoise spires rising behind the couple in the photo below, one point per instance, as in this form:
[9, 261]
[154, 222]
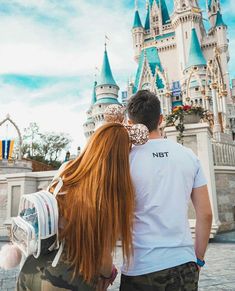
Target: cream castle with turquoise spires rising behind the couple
[179, 60]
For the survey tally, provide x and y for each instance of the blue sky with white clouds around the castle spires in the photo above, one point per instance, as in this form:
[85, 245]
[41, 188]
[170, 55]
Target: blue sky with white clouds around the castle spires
[49, 50]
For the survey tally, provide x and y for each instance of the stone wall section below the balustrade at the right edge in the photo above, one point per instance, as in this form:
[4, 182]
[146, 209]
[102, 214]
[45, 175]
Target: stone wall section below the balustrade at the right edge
[225, 188]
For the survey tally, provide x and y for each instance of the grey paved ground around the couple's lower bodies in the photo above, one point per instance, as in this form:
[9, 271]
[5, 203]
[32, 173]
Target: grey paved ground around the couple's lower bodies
[217, 275]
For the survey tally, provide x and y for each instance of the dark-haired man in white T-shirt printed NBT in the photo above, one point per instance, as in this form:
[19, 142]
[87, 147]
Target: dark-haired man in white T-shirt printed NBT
[165, 175]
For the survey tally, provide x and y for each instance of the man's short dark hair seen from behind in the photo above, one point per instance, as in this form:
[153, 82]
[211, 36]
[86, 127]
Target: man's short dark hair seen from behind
[144, 107]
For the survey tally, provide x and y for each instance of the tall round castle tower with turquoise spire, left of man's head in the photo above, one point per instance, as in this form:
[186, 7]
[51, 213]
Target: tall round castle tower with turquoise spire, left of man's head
[106, 92]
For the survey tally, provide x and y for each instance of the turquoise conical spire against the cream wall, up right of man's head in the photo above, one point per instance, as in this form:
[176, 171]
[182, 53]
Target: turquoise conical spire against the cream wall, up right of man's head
[196, 57]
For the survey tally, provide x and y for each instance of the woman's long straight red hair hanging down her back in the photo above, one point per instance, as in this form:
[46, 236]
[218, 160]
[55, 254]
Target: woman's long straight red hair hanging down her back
[99, 202]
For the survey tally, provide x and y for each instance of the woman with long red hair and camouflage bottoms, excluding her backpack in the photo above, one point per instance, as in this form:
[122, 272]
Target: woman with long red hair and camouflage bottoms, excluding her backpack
[96, 209]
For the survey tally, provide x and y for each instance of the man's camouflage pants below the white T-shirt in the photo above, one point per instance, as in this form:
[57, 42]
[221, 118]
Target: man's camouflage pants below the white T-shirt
[181, 278]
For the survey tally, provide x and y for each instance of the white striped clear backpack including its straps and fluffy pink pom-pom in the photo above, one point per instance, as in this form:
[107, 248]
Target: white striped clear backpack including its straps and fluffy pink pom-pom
[35, 230]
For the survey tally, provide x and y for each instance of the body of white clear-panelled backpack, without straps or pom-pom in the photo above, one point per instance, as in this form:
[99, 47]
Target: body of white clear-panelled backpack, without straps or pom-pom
[34, 231]
